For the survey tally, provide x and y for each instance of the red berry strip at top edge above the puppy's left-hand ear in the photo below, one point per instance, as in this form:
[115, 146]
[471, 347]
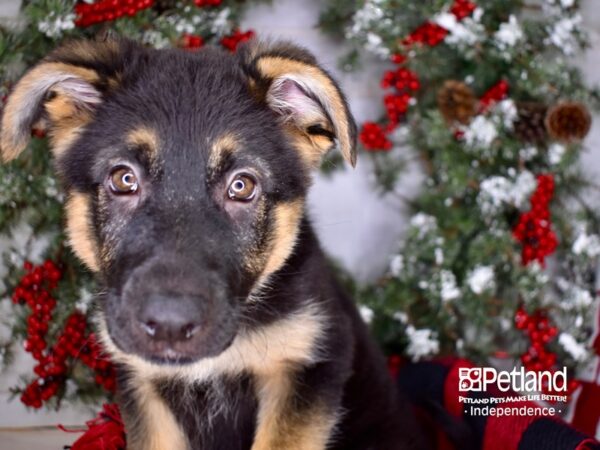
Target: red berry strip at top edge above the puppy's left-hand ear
[107, 10]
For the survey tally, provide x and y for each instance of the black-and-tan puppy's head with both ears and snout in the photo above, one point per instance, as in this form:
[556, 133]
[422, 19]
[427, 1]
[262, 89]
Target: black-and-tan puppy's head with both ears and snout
[186, 176]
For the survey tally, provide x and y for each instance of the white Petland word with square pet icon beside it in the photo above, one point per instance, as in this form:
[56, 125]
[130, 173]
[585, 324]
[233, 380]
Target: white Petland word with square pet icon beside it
[479, 379]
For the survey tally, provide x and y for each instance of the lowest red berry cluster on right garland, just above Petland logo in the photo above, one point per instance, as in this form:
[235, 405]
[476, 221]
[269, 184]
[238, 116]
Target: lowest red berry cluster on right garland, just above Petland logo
[540, 332]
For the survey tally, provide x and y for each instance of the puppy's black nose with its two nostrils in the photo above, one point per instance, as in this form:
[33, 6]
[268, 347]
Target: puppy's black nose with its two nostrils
[168, 319]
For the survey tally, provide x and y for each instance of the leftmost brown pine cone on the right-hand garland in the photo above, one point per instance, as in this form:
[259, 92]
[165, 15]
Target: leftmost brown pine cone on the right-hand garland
[457, 102]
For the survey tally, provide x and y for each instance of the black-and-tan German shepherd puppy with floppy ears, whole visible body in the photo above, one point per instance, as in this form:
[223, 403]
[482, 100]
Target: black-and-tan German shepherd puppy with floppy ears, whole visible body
[186, 175]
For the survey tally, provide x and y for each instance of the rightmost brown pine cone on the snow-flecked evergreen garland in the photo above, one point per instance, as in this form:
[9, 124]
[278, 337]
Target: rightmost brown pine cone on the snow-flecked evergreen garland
[568, 121]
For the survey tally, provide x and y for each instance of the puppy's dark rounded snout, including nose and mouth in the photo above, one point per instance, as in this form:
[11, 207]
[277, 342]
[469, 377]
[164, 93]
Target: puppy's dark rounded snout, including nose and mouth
[175, 310]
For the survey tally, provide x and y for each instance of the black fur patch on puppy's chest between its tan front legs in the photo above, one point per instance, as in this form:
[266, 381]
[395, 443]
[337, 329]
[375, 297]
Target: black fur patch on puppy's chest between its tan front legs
[220, 414]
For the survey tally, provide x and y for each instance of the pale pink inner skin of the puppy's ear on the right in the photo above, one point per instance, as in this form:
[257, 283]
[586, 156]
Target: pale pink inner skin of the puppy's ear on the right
[291, 101]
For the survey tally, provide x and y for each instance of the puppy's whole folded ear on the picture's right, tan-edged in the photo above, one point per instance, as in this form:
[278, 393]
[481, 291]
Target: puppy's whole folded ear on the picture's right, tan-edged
[308, 101]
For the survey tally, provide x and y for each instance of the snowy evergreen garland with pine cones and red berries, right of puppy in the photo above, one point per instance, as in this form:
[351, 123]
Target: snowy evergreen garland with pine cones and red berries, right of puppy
[500, 258]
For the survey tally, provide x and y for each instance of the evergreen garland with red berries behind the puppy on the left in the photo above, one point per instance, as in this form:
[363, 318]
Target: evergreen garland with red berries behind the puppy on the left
[50, 290]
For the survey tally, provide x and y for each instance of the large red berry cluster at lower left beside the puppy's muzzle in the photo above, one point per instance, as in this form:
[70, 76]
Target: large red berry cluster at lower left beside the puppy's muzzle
[34, 290]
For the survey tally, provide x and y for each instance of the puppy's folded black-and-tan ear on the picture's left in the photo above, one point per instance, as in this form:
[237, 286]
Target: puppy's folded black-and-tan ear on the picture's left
[59, 95]
